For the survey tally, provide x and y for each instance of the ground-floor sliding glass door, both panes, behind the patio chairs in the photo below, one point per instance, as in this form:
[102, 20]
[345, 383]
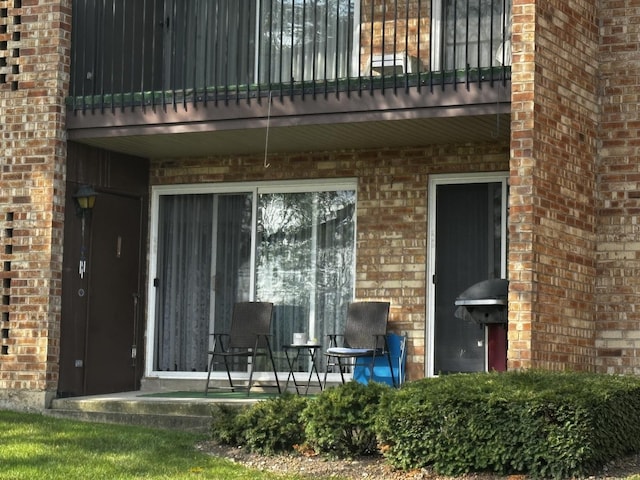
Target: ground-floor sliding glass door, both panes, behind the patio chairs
[269, 243]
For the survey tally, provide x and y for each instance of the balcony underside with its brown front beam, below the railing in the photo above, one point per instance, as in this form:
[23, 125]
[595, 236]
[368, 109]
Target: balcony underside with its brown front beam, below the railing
[406, 117]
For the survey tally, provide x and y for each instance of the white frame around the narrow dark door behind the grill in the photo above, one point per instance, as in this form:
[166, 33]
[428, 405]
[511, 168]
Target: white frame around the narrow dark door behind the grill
[451, 179]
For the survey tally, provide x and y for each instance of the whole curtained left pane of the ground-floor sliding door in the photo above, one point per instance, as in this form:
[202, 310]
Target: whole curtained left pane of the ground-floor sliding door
[199, 279]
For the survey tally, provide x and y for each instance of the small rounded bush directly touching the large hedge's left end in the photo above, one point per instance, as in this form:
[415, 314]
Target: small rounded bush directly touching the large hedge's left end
[341, 420]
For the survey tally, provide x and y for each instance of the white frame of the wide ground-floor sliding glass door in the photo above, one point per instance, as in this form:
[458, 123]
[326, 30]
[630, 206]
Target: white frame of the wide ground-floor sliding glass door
[256, 188]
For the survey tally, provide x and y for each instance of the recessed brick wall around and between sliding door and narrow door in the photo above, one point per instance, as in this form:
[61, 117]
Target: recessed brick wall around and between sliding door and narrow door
[392, 212]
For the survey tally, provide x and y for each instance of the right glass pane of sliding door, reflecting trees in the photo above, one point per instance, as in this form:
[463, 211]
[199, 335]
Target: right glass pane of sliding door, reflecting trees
[305, 261]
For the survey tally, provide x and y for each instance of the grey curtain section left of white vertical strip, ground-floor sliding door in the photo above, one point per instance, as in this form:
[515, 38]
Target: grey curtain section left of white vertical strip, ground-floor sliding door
[184, 282]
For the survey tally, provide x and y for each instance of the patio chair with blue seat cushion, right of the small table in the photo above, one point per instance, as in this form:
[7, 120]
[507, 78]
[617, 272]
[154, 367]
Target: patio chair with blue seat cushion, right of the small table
[365, 337]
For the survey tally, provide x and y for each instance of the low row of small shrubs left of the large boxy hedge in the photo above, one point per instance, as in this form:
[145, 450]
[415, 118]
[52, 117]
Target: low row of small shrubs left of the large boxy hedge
[339, 422]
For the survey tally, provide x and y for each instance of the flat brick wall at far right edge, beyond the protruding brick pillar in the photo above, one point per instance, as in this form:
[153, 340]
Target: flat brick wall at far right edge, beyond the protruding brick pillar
[618, 288]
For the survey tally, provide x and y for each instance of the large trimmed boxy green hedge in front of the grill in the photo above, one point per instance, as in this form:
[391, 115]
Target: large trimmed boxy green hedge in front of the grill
[543, 424]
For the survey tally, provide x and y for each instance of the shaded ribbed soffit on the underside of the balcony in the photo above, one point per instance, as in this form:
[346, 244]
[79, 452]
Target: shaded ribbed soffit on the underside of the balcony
[306, 138]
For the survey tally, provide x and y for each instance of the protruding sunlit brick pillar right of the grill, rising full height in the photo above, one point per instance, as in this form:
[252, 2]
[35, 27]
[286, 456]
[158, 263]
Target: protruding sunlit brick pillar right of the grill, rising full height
[553, 182]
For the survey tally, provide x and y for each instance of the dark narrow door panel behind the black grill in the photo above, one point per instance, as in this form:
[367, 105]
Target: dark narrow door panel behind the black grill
[466, 239]
